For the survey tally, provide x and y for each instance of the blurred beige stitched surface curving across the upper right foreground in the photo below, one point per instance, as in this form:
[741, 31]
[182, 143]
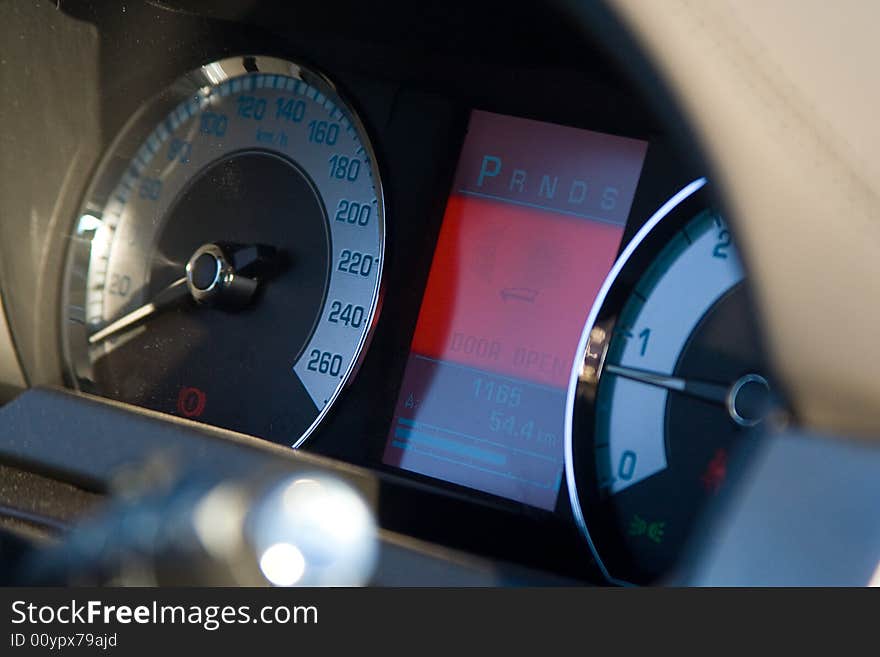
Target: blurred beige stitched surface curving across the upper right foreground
[784, 95]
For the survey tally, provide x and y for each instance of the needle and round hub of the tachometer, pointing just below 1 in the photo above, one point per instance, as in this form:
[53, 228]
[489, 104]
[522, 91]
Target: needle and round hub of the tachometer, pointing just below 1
[747, 399]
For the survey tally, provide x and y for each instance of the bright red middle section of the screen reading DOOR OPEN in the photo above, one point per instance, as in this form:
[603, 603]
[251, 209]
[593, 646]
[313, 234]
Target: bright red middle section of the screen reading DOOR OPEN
[507, 288]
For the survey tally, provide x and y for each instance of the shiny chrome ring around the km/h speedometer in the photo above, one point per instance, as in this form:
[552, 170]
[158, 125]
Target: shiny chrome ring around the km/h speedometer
[126, 146]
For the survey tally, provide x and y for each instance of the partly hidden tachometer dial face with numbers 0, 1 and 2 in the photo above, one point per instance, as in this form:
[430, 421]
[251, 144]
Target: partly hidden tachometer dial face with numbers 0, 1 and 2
[672, 380]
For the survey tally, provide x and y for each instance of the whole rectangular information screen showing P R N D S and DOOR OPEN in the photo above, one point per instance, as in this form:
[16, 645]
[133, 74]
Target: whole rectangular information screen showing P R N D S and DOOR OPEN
[531, 229]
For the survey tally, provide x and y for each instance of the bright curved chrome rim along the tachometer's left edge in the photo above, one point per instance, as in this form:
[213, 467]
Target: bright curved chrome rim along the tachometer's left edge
[587, 367]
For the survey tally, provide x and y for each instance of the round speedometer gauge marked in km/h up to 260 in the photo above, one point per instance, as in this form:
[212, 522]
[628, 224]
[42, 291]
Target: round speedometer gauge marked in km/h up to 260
[227, 264]
